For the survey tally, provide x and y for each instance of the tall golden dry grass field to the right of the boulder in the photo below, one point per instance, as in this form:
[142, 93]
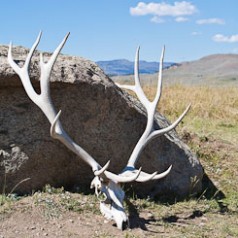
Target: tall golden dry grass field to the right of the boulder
[214, 109]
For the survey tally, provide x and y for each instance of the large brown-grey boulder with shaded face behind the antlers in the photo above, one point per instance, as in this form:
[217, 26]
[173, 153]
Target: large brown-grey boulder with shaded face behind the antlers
[100, 117]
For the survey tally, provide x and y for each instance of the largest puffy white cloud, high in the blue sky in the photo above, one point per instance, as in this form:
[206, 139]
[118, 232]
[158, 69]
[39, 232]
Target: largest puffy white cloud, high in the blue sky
[158, 10]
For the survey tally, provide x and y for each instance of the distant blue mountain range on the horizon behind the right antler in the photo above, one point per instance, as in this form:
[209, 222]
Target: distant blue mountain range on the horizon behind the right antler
[126, 67]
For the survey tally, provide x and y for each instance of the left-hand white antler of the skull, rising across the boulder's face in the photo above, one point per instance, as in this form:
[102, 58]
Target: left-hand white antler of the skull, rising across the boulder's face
[43, 101]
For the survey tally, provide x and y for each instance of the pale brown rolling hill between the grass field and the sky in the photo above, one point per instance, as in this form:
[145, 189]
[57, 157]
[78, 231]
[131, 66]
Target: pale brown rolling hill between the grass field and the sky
[216, 69]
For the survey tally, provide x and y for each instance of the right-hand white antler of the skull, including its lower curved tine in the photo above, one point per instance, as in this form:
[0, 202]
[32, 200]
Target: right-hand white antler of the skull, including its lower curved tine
[149, 132]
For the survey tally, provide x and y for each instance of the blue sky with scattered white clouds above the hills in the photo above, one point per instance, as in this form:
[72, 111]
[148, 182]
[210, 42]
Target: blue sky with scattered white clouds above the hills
[112, 29]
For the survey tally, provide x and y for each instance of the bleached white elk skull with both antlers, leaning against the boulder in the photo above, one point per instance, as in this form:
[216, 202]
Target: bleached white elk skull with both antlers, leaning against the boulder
[104, 182]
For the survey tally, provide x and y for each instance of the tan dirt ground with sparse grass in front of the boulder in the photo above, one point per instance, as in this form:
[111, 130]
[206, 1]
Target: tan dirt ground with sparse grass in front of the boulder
[47, 215]
